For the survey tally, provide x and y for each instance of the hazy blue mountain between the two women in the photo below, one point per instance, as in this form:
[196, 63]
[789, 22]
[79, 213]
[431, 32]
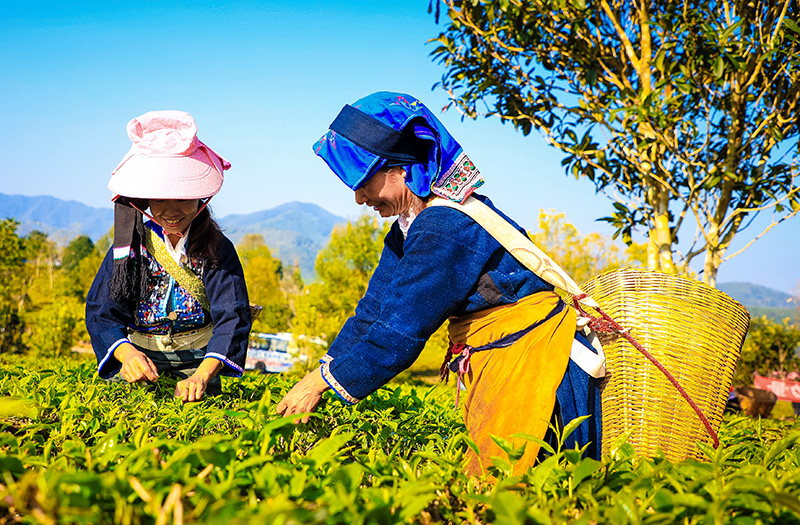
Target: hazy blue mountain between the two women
[294, 231]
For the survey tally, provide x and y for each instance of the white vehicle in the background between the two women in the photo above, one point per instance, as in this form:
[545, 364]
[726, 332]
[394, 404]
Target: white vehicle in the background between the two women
[275, 353]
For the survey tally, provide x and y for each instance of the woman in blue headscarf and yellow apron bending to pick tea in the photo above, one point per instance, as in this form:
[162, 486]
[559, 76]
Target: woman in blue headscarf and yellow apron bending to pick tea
[511, 335]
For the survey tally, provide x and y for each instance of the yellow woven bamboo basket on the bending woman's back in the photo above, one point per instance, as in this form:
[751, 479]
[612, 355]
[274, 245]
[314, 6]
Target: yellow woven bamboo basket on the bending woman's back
[695, 331]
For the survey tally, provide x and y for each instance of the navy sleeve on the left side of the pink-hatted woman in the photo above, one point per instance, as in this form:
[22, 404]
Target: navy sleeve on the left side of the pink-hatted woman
[106, 320]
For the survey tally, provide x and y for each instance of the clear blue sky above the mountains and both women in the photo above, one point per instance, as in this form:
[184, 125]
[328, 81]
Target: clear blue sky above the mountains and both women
[263, 81]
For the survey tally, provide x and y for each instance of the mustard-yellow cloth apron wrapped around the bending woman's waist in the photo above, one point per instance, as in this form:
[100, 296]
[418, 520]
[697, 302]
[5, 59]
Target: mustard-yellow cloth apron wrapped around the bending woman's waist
[513, 390]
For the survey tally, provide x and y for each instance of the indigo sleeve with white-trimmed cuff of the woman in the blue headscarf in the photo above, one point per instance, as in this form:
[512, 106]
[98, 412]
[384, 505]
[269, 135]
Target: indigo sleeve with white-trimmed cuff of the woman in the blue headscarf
[443, 257]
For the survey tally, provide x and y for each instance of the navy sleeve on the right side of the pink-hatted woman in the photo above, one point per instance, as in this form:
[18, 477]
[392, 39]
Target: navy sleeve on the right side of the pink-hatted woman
[230, 310]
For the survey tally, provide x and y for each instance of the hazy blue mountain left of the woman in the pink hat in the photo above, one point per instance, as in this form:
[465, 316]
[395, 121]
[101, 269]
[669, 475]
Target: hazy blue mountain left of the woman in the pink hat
[61, 220]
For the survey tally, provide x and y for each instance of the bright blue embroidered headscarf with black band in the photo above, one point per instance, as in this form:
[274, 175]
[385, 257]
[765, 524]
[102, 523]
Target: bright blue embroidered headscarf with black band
[393, 129]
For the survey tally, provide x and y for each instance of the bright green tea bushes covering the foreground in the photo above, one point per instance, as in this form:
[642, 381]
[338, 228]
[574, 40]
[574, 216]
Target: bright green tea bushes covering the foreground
[76, 449]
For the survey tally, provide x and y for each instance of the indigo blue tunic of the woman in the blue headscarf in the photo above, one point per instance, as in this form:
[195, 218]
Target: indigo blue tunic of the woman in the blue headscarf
[448, 265]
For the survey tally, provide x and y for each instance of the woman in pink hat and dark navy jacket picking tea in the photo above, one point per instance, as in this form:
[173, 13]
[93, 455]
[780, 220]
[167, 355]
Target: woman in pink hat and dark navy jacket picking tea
[170, 296]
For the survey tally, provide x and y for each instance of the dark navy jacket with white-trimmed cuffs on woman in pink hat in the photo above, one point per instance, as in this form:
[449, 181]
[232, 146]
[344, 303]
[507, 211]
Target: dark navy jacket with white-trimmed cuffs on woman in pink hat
[107, 321]
